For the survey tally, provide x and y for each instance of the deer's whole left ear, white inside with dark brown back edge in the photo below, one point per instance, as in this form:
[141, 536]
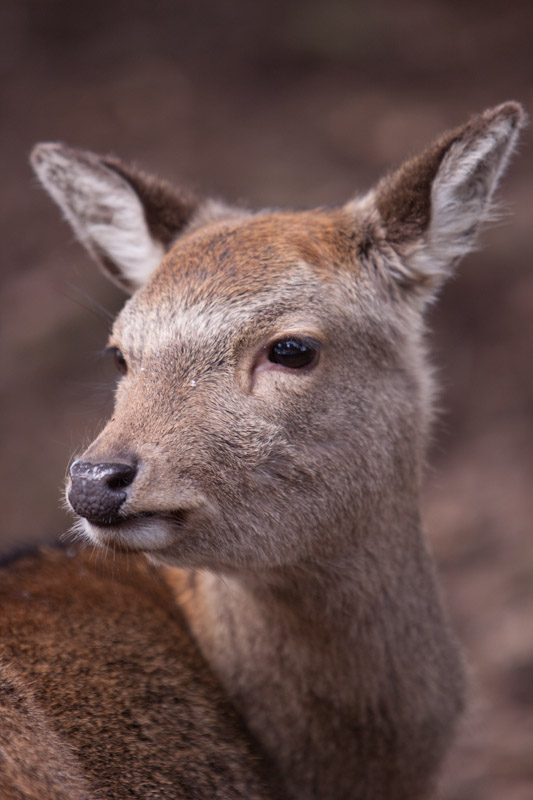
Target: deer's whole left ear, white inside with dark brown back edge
[127, 220]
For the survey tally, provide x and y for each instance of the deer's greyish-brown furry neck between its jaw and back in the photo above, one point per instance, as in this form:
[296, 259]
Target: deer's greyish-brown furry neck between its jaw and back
[344, 668]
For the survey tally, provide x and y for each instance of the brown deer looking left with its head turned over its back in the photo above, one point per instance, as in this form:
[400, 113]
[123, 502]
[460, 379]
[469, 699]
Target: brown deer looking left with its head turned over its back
[276, 627]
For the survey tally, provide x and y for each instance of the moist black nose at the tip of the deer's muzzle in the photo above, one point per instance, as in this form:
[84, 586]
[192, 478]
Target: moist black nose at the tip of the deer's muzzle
[97, 490]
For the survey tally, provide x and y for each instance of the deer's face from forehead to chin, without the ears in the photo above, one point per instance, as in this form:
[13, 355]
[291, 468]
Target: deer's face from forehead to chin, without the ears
[250, 417]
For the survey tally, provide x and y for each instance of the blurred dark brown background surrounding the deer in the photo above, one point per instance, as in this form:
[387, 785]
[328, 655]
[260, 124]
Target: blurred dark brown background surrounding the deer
[293, 104]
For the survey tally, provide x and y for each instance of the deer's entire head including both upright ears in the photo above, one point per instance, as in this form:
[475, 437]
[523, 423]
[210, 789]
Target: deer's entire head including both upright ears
[273, 396]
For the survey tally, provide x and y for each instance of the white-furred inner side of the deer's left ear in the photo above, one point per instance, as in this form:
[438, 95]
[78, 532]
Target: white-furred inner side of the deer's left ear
[103, 209]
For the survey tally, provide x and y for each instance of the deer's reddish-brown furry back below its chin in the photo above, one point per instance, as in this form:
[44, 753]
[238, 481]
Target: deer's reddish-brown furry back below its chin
[103, 692]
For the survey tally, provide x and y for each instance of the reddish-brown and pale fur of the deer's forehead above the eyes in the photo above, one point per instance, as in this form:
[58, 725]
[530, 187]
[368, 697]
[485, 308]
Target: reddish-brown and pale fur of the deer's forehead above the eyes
[265, 270]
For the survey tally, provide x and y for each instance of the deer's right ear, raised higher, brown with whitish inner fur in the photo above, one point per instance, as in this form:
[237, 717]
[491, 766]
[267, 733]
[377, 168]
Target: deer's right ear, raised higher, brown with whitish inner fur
[431, 209]
